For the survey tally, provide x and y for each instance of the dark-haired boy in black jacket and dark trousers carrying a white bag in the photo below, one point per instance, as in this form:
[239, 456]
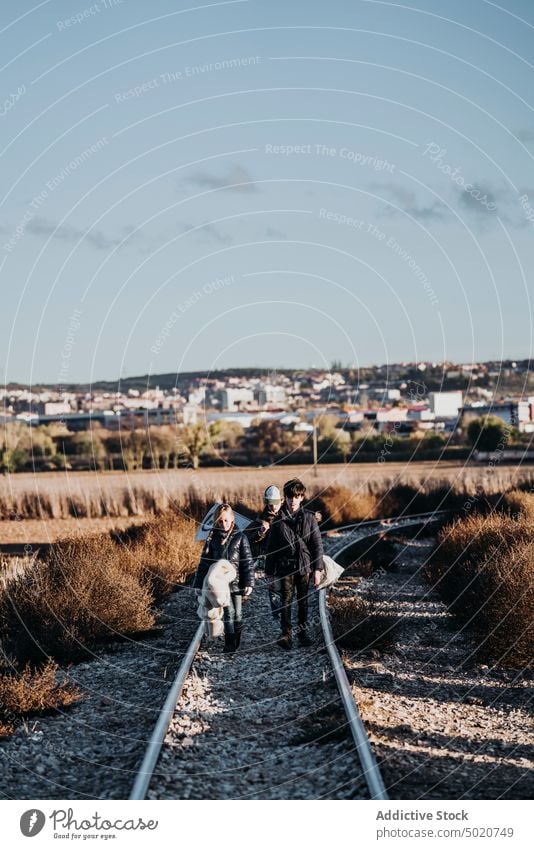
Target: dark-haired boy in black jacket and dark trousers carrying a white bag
[294, 554]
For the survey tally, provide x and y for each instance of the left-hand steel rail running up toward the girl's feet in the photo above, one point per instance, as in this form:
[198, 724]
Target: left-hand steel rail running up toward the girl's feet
[148, 765]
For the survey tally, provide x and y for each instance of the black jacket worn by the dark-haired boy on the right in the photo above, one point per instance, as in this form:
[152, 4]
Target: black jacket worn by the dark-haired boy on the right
[294, 544]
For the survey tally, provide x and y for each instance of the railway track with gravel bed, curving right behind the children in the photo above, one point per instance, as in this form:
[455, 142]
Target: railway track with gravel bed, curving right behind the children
[266, 724]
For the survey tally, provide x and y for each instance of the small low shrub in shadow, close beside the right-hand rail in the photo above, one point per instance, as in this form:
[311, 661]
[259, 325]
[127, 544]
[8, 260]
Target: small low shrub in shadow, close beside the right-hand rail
[361, 624]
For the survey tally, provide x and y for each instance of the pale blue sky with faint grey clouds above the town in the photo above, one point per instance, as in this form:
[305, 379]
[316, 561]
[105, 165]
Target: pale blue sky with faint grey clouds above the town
[263, 183]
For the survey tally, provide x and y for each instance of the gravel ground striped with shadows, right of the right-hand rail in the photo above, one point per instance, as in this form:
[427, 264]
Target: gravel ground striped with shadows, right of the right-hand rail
[442, 724]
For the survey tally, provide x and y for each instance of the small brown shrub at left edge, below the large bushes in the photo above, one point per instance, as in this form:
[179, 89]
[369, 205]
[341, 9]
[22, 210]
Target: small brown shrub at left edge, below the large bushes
[32, 691]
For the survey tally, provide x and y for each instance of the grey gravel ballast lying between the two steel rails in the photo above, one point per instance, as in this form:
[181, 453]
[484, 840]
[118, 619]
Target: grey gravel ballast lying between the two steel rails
[261, 724]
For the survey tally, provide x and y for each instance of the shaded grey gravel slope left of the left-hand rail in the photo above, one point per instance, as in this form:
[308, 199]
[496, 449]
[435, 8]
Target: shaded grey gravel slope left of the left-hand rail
[93, 749]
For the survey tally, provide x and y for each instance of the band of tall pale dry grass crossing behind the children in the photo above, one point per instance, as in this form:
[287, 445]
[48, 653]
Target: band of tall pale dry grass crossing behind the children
[101, 495]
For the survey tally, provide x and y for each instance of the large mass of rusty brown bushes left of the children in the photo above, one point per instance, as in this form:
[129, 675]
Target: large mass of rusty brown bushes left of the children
[94, 589]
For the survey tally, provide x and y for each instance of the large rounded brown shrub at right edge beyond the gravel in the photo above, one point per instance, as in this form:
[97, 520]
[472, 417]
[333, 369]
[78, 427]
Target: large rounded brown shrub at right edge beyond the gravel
[484, 569]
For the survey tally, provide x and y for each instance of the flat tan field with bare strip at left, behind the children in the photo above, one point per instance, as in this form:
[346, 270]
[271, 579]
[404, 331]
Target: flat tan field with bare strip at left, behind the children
[47, 506]
